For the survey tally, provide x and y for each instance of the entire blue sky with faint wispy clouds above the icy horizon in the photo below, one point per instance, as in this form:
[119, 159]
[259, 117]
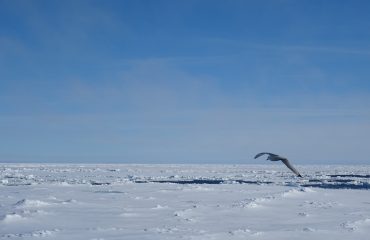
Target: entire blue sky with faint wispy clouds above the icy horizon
[206, 81]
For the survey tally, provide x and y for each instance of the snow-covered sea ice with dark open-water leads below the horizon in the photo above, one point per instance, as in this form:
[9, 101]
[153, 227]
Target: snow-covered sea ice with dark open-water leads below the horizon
[183, 202]
